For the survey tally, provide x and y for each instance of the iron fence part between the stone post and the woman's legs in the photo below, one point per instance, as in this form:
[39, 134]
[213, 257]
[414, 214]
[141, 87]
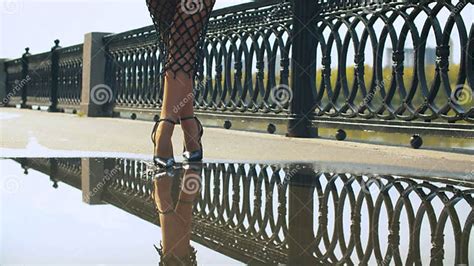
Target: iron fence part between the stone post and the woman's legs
[132, 68]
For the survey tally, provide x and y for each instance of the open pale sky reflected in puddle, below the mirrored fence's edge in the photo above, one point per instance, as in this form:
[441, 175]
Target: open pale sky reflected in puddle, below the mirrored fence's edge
[42, 225]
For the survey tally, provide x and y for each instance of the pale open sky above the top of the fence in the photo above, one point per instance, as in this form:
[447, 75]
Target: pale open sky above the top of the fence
[37, 23]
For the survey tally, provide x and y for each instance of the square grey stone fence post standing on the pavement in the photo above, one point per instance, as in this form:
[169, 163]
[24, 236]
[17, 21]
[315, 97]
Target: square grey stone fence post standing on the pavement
[96, 96]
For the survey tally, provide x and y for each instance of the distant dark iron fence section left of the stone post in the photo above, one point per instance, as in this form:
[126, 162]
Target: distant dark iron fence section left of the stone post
[46, 79]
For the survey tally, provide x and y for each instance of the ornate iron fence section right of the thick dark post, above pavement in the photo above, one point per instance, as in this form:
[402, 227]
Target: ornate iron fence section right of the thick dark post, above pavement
[424, 90]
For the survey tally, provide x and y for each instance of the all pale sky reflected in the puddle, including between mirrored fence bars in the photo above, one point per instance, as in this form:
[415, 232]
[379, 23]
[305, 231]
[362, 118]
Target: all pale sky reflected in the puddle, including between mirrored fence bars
[39, 224]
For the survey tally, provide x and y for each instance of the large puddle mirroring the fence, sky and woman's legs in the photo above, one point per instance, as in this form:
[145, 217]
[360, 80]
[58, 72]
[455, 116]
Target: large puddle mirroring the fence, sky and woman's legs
[125, 211]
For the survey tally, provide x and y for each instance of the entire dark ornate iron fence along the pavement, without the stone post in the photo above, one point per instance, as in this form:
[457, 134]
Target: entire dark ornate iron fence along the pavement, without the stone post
[364, 62]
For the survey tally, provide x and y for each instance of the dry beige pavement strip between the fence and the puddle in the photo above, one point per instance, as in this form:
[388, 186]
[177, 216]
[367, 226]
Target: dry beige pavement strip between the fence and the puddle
[28, 133]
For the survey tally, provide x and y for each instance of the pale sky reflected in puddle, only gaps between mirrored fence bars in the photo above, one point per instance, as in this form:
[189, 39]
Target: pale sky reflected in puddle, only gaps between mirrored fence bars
[383, 230]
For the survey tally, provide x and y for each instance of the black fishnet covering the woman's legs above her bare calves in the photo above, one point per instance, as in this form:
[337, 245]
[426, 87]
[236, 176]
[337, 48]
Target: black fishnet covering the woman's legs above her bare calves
[181, 26]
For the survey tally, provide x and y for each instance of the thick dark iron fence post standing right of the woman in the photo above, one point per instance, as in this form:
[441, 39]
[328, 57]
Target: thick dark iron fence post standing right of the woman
[303, 69]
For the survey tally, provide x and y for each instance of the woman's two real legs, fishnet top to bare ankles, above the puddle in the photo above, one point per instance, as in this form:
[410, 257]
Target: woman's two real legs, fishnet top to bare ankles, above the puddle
[181, 30]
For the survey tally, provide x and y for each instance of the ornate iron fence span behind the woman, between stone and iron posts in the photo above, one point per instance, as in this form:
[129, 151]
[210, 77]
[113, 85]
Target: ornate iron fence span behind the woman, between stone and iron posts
[232, 56]
